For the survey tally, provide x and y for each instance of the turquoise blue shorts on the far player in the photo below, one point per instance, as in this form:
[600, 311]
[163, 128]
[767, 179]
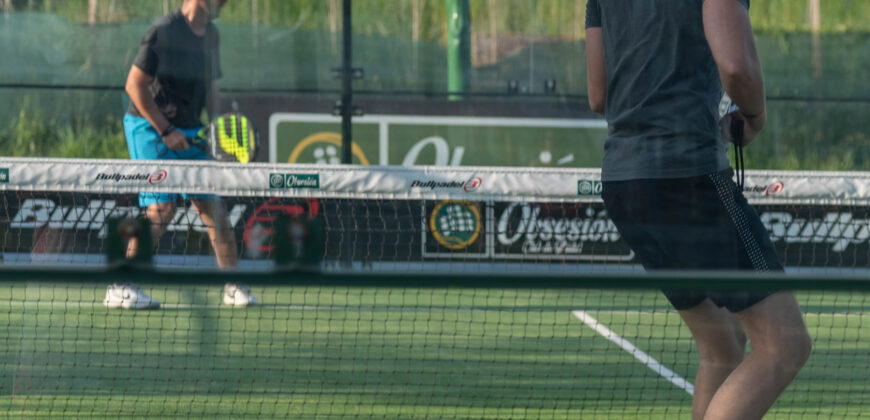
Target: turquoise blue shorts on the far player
[144, 143]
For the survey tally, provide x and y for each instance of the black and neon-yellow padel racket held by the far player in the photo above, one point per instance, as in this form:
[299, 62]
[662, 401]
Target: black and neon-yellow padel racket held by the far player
[230, 138]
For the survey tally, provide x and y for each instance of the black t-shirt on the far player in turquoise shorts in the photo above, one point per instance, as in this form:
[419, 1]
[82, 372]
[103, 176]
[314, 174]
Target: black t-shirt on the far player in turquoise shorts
[183, 66]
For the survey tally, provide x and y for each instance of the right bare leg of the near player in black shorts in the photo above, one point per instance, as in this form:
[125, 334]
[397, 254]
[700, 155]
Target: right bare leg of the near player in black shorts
[781, 346]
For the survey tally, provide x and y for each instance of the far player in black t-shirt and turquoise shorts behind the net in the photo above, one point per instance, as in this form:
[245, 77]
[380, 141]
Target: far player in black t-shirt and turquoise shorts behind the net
[172, 78]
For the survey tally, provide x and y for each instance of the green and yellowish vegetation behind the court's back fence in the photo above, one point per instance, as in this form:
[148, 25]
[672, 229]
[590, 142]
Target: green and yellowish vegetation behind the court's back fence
[816, 63]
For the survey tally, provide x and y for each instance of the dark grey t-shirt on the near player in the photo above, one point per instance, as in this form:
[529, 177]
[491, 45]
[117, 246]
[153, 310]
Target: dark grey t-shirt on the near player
[663, 90]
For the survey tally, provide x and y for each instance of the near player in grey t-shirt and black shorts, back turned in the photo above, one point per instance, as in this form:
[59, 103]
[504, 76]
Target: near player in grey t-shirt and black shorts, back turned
[657, 69]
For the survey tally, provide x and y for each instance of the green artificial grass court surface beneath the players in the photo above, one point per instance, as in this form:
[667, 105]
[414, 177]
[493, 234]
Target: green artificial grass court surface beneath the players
[342, 352]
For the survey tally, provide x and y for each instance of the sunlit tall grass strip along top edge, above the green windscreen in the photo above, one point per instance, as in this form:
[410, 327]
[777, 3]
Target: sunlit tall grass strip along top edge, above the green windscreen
[560, 18]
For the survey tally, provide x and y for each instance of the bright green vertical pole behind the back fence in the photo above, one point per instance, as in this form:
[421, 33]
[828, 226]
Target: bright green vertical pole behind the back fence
[458, 47]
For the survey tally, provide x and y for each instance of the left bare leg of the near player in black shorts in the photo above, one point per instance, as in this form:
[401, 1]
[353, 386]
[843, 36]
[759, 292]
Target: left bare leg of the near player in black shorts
[721, 346]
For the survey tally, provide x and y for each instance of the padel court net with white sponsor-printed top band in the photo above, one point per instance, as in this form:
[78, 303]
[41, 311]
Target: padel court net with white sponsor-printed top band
[501, 339]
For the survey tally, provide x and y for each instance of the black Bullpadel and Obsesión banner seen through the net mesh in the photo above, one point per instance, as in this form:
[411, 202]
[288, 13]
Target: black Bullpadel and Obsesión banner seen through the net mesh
[413, 230]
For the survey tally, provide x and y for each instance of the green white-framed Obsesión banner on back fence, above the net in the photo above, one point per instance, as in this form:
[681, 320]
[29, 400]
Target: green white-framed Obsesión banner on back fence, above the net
[439, 140]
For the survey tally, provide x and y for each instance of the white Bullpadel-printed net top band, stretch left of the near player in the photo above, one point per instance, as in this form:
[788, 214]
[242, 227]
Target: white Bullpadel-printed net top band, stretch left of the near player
[393, 182]
